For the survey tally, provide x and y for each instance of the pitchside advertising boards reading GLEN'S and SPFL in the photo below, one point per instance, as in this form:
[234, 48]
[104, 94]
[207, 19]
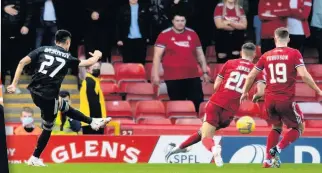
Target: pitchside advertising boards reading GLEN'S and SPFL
[151, 149]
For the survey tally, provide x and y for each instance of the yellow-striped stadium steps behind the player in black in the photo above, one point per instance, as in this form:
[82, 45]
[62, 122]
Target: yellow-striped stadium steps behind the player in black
[15, 102]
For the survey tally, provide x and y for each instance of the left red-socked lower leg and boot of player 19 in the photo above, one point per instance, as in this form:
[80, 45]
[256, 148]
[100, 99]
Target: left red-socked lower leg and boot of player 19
[272, 140]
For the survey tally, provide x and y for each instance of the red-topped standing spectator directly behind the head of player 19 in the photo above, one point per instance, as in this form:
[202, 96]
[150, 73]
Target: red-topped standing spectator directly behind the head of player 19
[273, 14]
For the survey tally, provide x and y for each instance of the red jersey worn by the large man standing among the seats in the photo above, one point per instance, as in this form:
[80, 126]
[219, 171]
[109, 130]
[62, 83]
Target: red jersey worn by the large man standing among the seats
[179, 59]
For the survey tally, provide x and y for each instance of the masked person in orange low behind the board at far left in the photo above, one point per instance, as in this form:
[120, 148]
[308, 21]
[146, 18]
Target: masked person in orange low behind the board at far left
[27, 127]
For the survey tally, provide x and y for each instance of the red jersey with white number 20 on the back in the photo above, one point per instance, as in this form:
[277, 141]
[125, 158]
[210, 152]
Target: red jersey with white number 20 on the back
[233, 73]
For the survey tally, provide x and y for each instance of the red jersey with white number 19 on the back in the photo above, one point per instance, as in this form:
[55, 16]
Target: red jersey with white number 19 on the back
[280, 65]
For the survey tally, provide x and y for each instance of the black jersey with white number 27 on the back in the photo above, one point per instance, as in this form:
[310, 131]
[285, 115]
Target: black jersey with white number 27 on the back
[51, 64]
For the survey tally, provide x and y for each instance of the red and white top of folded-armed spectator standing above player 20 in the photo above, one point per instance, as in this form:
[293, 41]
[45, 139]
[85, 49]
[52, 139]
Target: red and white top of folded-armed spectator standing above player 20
[233, 15]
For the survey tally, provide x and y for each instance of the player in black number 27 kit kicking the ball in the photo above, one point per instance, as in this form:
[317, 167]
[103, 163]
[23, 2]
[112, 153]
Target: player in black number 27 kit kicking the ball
[52, 63]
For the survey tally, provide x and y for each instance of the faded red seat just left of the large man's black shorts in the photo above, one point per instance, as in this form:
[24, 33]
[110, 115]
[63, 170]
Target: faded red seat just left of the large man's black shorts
[139, 91]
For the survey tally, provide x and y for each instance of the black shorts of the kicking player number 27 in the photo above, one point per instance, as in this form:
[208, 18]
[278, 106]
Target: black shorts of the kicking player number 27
[48, 107]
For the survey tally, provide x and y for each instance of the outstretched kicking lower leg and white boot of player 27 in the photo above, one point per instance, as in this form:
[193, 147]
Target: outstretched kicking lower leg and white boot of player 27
[95, 123]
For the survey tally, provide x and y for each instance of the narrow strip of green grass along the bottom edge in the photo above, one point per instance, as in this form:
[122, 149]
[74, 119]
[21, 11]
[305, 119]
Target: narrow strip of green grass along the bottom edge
[163, 168]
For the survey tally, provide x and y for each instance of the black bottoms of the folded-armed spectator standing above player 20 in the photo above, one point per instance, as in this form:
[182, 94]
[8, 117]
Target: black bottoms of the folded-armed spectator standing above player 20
[229, 41]
